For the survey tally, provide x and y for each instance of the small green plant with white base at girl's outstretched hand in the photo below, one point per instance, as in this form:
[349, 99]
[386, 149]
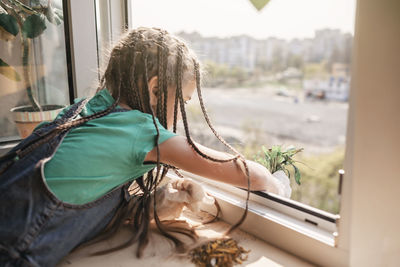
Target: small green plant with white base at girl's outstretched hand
[277, 160]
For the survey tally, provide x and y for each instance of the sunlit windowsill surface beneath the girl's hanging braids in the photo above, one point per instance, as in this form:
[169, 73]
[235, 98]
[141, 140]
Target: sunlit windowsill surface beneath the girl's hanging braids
[159, 253]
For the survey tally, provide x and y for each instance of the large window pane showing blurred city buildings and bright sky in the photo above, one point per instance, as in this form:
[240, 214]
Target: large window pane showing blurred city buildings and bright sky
[279, 76]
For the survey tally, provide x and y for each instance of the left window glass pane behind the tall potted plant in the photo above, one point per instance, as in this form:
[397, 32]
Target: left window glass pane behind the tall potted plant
[46, 61]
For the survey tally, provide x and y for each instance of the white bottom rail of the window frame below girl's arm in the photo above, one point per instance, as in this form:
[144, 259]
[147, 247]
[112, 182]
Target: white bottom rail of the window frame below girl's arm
[278, 225]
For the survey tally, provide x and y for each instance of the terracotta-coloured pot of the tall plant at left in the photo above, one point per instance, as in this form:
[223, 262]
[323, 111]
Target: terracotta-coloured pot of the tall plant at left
[26, 119]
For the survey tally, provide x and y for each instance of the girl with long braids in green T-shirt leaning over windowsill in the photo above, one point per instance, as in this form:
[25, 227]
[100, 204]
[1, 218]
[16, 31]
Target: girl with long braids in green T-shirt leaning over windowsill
[69, 181]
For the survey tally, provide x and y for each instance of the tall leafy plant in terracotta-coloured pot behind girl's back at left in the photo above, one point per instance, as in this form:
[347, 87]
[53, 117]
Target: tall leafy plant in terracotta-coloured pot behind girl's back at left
[27, 22]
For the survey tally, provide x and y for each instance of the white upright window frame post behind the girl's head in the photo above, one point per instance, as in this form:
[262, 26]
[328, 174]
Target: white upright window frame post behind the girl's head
[88, 48]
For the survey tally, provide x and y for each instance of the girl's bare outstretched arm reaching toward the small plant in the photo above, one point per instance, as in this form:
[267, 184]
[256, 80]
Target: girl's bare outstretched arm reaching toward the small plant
[177, 152]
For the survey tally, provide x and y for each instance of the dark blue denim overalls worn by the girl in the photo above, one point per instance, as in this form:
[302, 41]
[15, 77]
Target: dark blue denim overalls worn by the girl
[36, 228]
